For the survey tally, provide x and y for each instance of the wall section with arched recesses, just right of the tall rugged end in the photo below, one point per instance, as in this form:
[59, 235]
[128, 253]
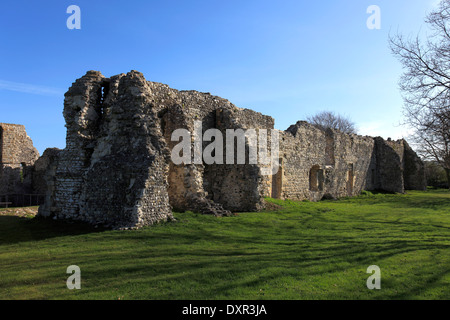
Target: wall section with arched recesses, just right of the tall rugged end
[202, 187]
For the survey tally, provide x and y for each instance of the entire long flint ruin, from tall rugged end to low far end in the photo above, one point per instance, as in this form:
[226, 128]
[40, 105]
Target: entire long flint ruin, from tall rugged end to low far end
[116, 169]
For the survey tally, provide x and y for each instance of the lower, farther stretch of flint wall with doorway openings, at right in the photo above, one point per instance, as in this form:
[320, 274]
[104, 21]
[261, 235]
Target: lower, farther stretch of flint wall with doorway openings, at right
[317, 164]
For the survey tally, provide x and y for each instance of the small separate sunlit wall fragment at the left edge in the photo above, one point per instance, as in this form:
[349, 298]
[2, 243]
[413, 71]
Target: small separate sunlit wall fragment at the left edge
[17, 157]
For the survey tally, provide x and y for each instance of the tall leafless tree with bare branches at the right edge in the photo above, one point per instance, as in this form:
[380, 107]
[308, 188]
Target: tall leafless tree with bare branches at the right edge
[425, 85]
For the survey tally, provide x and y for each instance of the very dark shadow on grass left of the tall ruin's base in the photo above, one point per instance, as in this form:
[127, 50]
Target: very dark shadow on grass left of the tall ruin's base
[15, 229]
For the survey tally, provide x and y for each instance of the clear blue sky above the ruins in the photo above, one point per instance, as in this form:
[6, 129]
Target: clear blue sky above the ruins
[286, 59]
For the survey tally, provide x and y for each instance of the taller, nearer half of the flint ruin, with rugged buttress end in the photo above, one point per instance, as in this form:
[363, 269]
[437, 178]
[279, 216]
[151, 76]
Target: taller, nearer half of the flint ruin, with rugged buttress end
[116, 168]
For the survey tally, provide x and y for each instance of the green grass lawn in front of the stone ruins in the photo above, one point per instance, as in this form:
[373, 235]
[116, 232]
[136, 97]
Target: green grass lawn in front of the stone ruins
[302, 250]
